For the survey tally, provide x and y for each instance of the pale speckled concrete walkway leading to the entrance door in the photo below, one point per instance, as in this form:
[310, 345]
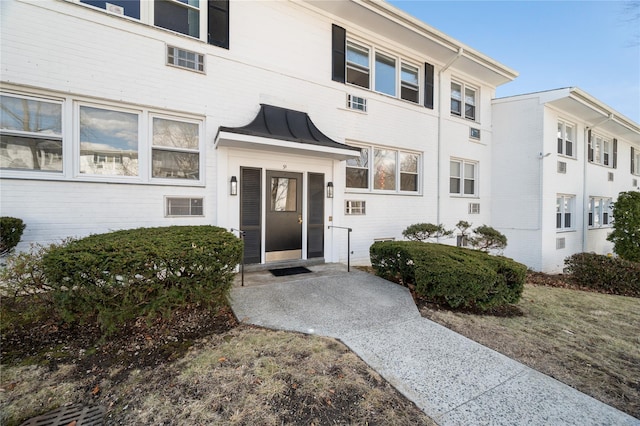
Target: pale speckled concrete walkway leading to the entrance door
[454, 380]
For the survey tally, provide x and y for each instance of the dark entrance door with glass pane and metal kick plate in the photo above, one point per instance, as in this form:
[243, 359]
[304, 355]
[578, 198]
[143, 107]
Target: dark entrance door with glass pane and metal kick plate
[283, 216]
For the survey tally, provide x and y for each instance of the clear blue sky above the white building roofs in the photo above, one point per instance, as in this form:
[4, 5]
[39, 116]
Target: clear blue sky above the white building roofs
[592, 45]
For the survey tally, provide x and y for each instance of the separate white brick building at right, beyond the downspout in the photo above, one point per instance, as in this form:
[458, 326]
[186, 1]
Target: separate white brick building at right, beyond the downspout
[564, 157]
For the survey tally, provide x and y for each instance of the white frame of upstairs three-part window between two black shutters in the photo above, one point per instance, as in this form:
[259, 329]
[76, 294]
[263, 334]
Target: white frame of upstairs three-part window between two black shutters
[373, 52]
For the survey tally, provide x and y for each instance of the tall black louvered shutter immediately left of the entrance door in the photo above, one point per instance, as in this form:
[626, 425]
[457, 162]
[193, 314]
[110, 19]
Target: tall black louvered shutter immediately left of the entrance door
[251, 213]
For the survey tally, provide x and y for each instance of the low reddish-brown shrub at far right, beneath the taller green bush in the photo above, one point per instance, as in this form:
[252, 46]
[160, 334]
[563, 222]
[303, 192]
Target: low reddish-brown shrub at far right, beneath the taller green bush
[607, 274]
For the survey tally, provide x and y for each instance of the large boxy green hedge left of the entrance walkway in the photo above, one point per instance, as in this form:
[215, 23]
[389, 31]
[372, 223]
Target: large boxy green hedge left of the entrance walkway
[126, 274]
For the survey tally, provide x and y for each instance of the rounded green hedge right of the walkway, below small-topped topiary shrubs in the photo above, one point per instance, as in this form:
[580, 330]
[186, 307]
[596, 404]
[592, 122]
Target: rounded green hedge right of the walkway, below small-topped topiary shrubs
[454, 276]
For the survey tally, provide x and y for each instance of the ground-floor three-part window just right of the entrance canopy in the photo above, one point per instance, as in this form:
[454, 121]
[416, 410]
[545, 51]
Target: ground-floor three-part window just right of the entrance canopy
[391, 170]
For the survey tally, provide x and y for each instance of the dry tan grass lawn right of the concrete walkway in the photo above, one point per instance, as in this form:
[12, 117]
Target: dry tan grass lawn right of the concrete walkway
[588, 340]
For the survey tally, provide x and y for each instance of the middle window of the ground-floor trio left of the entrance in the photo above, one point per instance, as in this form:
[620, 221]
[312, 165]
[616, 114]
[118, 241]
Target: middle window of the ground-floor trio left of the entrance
[108, 142]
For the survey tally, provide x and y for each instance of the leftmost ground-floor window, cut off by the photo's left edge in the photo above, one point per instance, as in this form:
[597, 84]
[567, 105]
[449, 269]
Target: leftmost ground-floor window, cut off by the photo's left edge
[30, 134]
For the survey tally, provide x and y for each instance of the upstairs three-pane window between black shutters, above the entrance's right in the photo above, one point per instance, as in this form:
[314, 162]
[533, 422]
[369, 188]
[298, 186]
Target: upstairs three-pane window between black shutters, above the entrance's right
[372, 69]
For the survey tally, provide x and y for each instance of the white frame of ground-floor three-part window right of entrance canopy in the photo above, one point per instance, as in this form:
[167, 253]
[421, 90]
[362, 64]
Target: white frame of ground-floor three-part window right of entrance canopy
[371, 149]
